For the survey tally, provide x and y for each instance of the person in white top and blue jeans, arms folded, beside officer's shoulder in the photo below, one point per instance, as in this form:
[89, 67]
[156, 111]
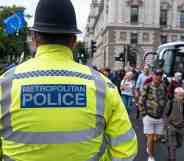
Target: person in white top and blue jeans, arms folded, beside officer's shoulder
[127, 88]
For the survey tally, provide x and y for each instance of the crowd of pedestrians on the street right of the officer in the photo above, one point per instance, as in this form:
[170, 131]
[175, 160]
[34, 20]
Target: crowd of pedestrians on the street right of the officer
[158, 101]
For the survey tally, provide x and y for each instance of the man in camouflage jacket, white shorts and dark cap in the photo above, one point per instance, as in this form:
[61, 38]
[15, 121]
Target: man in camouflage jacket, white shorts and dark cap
[152, 103]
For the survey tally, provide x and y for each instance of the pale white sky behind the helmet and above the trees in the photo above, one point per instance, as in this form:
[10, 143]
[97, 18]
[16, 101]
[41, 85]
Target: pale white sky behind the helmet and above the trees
[81, 7]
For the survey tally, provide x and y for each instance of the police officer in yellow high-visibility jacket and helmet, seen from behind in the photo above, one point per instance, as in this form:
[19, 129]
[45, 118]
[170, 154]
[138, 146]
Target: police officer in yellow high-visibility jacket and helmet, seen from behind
[53, 109]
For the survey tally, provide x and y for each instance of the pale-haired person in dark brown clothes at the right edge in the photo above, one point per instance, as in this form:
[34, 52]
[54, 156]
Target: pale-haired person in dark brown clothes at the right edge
[174, 114]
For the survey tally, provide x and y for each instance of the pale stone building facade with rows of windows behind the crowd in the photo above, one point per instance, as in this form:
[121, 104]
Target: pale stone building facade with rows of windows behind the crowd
[132, 26]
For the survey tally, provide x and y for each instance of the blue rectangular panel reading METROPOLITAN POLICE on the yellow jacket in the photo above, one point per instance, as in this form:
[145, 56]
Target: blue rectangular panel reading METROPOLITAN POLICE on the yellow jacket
[54, 96]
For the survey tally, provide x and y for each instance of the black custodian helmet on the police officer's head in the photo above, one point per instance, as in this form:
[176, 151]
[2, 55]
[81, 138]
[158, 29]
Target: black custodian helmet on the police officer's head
[55, 17]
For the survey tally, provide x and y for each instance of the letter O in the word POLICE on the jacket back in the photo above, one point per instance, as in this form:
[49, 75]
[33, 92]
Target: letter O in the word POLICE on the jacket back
[40, 99]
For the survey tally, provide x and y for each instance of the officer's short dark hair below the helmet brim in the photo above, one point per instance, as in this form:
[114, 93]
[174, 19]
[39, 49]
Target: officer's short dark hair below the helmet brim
[45, 38]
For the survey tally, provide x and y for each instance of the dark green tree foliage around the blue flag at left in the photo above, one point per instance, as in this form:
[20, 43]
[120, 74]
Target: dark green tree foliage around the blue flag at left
[12, 46]
